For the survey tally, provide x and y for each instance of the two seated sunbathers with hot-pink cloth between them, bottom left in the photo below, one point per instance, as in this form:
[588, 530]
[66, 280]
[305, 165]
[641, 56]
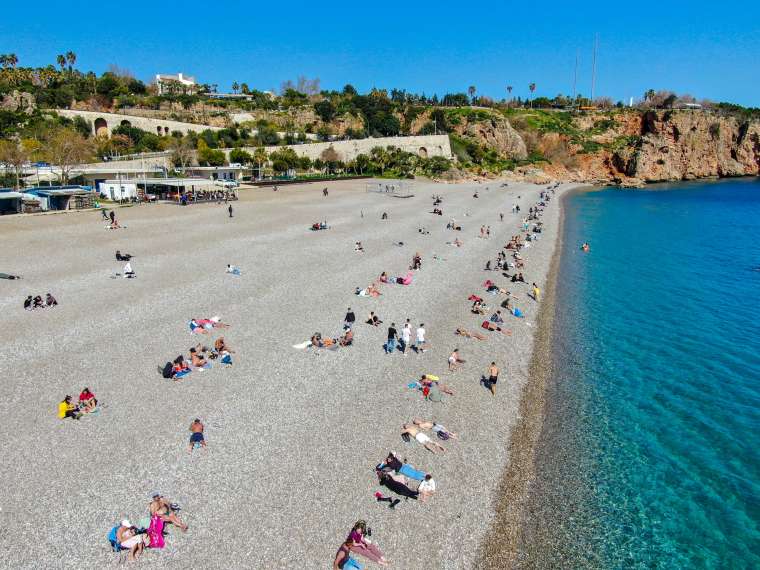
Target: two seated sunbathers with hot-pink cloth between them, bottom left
[149, 533]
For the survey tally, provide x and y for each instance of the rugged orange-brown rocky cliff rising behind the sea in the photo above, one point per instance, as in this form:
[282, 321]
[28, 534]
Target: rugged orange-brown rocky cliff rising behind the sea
[630, 147]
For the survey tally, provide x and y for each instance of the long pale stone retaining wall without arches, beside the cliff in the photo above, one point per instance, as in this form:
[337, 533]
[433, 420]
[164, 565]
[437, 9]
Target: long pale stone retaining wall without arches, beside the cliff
[429, 146]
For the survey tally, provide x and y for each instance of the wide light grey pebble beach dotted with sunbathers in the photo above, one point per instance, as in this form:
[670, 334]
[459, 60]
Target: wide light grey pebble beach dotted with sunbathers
[293, 435]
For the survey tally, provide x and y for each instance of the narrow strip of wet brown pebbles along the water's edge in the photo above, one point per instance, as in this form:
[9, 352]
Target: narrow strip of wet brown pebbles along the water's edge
[501, 546]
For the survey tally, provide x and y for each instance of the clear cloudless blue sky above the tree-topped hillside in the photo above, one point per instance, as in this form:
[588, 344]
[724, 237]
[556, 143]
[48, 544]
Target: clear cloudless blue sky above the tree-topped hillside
[708, 49]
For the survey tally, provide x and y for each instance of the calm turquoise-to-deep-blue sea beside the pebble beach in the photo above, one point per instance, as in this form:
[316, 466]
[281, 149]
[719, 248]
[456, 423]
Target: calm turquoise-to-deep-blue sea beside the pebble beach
[651, 453]
